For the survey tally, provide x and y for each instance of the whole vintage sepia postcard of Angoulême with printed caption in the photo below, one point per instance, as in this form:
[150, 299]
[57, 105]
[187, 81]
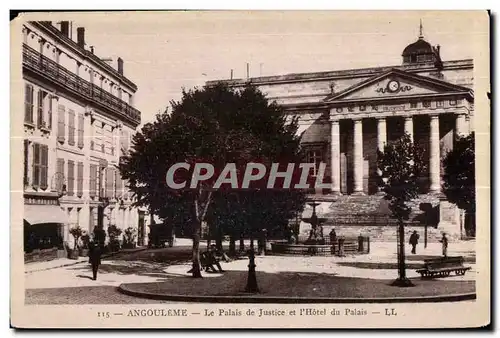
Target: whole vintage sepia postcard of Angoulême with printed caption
[250, 169]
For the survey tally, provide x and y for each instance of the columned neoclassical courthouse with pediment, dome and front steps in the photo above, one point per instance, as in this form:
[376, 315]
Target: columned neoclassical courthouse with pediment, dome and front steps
[346, 115]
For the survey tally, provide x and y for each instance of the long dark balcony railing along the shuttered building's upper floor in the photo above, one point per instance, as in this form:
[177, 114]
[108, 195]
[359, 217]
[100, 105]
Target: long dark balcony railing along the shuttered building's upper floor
[64, 77]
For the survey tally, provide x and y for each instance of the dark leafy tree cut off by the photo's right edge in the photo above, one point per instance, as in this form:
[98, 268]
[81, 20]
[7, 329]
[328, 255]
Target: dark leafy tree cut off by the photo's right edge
[459, 184]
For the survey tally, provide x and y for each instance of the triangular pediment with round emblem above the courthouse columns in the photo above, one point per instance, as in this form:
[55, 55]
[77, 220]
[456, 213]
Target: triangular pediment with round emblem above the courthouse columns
[396, 83]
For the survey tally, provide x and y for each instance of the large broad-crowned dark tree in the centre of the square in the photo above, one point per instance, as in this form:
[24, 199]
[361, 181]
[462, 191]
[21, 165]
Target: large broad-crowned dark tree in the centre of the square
[217, 125]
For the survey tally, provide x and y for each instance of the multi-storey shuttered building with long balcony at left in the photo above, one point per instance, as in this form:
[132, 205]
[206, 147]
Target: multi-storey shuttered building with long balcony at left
[79, 118]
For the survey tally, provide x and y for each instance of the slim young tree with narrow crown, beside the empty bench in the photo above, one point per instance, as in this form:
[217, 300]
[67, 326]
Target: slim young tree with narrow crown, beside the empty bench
[400, 166]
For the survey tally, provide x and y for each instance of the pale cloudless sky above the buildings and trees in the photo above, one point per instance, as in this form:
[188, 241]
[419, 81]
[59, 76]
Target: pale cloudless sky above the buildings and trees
[165, 51]
